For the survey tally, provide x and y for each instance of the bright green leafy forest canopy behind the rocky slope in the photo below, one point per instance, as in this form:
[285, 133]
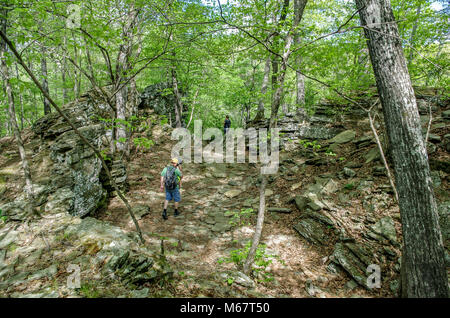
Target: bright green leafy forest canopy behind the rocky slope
[216, 54]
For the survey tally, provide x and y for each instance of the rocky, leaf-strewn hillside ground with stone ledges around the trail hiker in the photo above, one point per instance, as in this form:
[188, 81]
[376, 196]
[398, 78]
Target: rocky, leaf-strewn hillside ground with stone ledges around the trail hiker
[330, 217]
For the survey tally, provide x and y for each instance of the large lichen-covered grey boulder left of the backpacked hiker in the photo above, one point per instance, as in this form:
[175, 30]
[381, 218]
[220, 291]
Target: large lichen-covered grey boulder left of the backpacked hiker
[74, 184]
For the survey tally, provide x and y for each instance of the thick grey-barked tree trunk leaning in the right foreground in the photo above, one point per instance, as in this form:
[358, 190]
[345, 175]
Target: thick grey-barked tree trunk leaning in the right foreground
[424, 269]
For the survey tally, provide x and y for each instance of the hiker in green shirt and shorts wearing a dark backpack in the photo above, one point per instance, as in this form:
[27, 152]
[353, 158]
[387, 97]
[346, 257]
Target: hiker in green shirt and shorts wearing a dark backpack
[171, 180]
